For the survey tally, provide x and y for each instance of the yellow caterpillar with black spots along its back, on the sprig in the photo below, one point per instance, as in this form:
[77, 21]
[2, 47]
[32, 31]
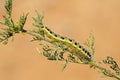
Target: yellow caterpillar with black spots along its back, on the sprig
[74, 46]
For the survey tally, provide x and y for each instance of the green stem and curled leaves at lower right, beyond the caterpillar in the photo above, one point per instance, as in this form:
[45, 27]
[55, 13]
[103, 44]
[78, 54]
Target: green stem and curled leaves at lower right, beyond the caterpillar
[108, 72]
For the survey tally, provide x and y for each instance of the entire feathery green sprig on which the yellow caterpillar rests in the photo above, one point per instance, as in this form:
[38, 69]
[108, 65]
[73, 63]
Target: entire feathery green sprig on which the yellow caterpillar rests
[54, 50]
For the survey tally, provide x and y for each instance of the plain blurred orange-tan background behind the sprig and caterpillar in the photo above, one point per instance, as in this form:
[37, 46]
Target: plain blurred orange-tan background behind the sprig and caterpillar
[19, 59]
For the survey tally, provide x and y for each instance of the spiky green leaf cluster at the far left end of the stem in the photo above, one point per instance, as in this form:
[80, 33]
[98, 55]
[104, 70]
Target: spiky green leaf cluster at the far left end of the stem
[12, 27]
